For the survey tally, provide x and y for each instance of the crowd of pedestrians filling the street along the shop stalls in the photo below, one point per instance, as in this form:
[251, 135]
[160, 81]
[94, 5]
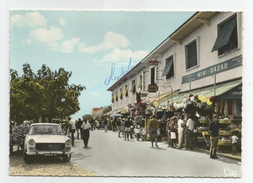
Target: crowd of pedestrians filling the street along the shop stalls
[180, 132]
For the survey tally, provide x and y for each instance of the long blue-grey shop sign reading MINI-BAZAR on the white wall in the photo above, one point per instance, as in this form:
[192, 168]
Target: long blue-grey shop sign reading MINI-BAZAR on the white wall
[224, 66]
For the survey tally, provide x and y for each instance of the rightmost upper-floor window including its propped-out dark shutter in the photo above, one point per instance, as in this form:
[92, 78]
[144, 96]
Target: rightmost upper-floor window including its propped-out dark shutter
[227, 38]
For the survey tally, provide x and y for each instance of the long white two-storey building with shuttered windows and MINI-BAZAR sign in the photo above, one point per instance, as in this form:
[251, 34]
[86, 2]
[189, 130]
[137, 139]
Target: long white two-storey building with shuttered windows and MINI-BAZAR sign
[203, 56]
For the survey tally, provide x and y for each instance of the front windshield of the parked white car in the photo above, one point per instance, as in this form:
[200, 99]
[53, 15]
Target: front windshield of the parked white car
[45, 129]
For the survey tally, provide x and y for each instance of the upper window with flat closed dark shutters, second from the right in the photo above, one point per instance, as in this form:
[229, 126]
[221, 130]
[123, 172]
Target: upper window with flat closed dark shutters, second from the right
[191, 55]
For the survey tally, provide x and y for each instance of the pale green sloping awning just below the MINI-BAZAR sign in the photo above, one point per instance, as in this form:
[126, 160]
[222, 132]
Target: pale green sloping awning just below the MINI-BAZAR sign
[209, 91]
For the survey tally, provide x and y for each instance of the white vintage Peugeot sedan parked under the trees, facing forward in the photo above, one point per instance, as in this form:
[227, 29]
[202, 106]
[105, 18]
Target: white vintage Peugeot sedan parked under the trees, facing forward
[47, 139]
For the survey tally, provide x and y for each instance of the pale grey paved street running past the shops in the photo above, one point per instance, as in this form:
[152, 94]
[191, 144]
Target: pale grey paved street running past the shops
[108, 155]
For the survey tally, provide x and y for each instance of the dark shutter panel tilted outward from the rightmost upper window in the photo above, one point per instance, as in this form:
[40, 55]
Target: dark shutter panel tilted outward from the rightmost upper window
[224, 34]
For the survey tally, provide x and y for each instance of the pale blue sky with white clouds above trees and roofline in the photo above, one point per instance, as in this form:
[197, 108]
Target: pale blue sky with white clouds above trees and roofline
[87, 43]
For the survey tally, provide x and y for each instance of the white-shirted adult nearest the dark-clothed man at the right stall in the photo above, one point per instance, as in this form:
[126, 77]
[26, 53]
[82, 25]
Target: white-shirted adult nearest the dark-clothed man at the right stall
[189, 133]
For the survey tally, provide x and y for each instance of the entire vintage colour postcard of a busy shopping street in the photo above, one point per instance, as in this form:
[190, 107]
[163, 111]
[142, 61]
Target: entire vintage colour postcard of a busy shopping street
[126, 93]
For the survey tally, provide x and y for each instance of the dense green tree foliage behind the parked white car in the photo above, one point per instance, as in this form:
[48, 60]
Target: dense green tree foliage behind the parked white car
[47, 94]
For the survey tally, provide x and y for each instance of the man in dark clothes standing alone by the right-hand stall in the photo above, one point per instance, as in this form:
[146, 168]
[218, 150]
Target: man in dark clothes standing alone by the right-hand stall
[214, 136]
